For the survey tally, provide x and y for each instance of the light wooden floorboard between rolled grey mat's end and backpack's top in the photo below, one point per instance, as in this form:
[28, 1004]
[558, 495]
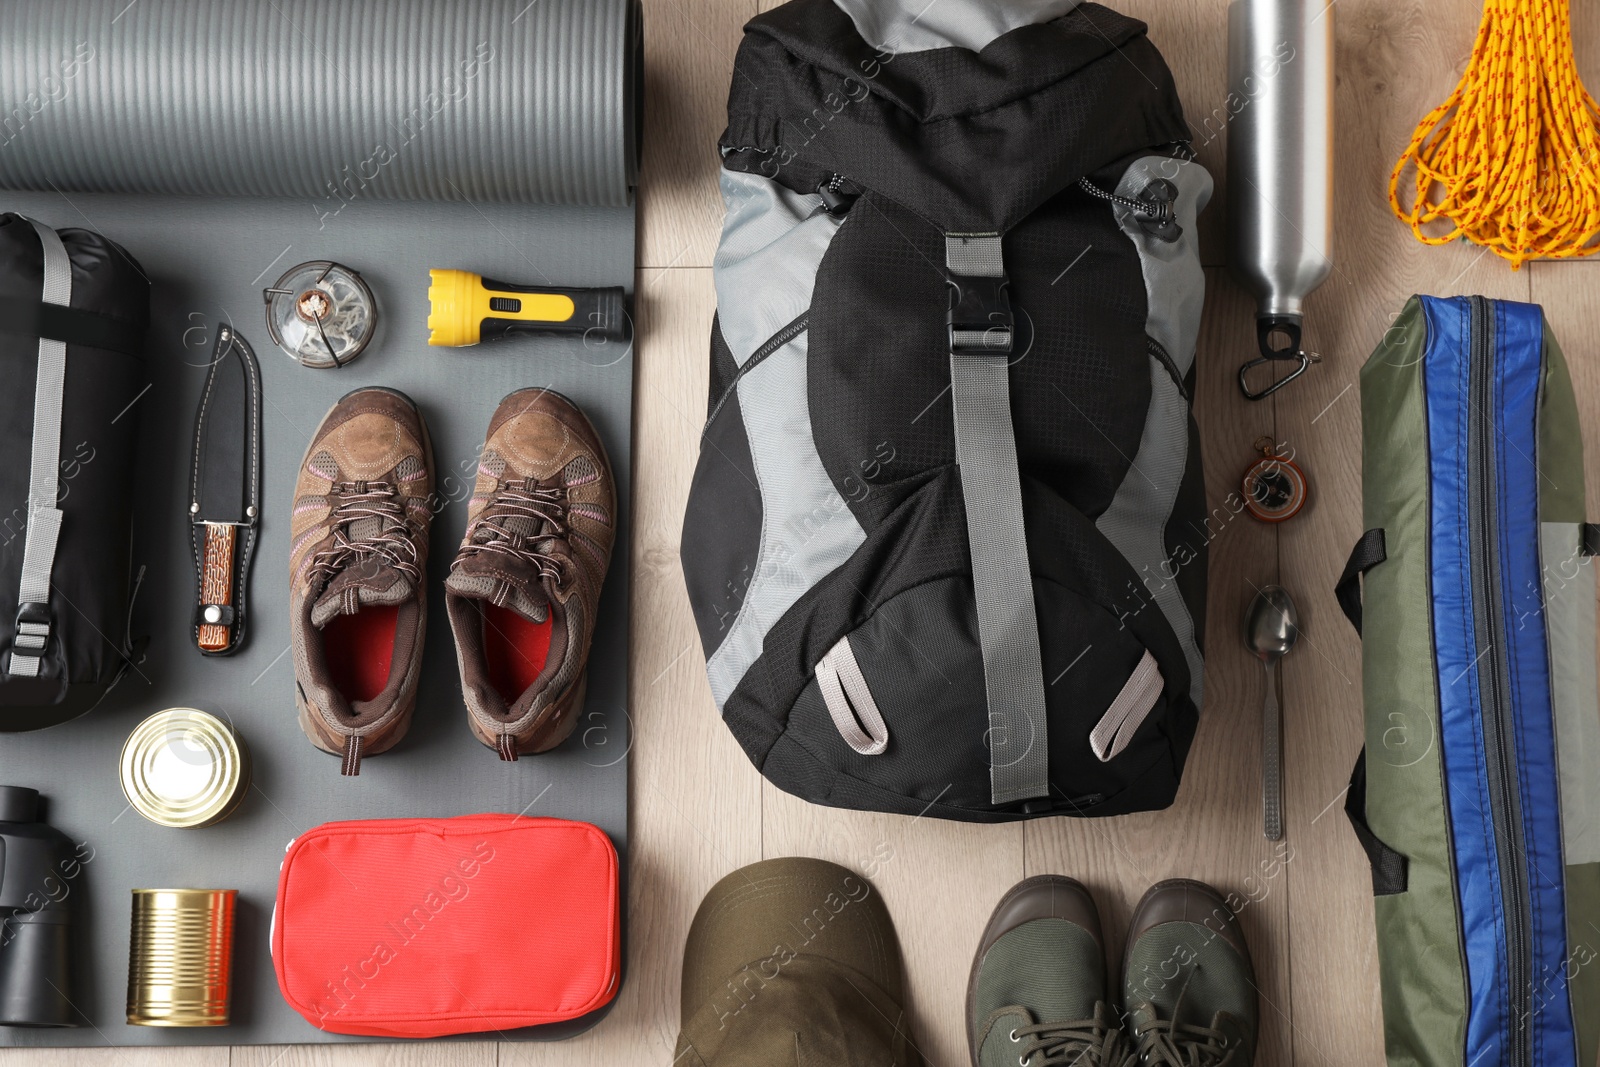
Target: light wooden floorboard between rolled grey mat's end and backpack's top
[689, 65]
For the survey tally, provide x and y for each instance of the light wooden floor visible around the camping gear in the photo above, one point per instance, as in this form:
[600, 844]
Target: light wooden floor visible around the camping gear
[700, 810]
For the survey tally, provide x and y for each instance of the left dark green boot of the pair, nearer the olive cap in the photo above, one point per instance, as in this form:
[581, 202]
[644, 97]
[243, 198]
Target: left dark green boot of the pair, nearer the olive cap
[1038, 993]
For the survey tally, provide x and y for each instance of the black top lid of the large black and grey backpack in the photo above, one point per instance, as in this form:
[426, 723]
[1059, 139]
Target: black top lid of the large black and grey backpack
[974, 142]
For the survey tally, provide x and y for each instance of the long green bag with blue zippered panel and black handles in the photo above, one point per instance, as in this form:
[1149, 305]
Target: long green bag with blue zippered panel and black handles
[1478, 796]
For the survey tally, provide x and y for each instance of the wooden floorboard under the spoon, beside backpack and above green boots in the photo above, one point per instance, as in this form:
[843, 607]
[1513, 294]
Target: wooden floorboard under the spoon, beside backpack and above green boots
[1214, 831]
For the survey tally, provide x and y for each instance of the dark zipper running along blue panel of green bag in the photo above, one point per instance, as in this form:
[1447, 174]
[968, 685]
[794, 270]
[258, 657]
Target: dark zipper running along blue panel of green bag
[1495, 684]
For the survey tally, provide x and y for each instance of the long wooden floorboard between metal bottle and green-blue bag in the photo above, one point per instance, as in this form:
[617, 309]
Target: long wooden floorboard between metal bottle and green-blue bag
[1396, 60]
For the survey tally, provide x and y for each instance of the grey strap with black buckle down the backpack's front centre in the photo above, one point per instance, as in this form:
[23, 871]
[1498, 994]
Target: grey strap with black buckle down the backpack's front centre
[982, 330]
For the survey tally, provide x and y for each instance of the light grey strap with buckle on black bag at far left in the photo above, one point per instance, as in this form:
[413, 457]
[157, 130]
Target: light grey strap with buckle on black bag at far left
[44, 518]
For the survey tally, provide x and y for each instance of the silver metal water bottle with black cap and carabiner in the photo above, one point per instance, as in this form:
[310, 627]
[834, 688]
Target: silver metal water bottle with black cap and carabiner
[1281, 167]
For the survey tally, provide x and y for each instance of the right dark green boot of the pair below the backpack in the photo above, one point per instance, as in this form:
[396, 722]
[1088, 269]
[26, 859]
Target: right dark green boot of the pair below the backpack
[1188, 985]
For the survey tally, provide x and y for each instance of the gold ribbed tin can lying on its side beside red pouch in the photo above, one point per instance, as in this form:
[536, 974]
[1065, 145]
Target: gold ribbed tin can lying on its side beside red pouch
[182, 957]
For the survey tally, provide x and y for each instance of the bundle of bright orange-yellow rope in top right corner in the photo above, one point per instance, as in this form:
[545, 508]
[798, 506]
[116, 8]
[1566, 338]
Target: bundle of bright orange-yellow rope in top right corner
[1513, 158]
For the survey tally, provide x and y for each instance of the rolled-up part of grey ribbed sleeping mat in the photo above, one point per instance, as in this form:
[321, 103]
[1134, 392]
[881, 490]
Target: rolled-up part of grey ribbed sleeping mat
[332, 102]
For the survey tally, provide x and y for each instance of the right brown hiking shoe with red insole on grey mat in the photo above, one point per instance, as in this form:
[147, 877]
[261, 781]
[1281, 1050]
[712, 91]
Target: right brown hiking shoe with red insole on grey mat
[524, 589]
